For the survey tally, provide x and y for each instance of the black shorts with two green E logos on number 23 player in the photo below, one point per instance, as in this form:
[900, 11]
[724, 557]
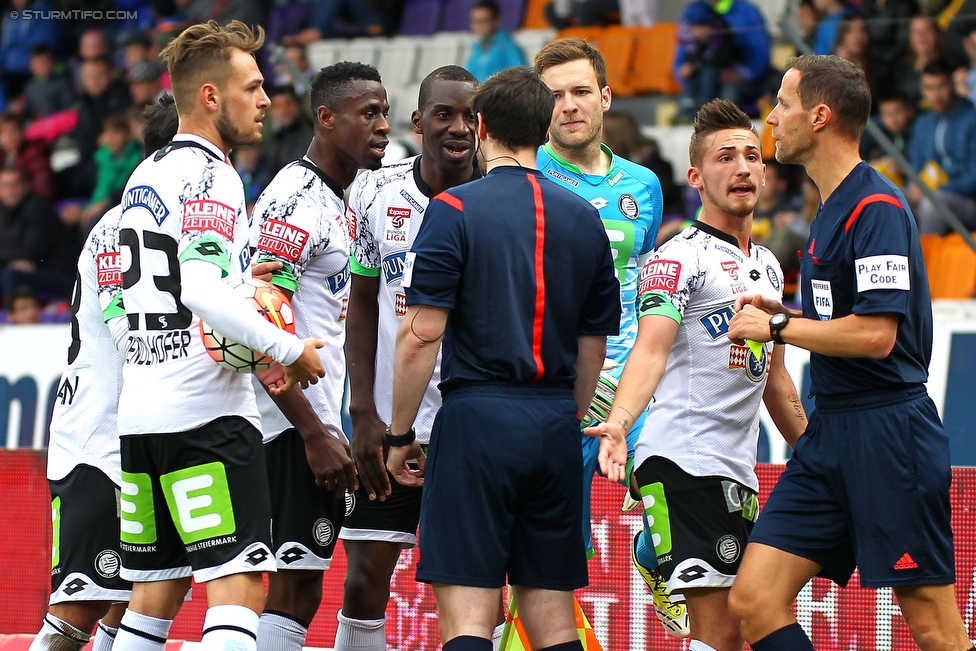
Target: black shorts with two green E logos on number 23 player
[195, 503]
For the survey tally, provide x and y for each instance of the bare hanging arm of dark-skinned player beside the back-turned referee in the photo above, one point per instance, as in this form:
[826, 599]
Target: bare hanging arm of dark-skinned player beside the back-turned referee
[362, 328]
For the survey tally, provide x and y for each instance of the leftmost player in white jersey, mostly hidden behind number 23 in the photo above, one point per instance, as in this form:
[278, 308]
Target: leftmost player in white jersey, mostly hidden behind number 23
[83, 464]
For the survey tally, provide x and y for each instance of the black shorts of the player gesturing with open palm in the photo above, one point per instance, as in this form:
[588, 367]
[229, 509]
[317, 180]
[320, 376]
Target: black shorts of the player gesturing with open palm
[700, 525]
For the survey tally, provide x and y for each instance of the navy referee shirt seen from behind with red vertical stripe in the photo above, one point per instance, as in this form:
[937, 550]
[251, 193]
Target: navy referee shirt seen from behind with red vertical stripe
[524, 266]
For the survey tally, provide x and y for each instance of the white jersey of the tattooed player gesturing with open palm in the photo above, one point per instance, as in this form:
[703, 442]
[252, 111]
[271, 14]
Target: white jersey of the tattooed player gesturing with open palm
[705, 412]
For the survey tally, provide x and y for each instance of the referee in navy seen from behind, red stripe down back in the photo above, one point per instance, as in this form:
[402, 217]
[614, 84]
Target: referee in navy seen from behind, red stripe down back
[514, 274]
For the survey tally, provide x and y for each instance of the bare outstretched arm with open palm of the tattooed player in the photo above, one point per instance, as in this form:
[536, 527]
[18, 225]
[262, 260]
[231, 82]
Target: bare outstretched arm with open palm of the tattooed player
[642, 373]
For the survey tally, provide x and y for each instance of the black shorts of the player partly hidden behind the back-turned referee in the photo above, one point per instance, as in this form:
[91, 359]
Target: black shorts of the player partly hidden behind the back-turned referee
[393, 520]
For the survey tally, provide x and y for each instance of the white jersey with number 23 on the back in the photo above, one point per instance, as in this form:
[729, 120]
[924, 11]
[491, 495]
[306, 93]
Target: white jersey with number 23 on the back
[183, 203]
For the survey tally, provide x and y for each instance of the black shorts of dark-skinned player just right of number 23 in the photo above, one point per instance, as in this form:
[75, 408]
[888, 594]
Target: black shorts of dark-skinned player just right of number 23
[305, 517]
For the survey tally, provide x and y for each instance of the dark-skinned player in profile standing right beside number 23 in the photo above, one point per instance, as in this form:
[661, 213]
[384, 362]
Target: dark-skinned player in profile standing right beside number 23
[303, 226]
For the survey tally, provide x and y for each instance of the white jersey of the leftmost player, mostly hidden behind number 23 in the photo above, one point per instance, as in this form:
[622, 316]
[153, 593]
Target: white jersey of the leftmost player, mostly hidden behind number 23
[84, 426]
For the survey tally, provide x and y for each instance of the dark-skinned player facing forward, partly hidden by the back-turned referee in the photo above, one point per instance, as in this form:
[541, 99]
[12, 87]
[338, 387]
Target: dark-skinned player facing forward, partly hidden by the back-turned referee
[386, 208]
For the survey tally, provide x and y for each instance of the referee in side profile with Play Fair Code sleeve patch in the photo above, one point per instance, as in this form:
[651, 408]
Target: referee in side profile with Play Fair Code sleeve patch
[868, 482]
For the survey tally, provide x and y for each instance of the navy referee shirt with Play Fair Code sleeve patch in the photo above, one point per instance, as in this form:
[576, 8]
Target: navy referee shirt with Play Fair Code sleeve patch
[864, 257]
